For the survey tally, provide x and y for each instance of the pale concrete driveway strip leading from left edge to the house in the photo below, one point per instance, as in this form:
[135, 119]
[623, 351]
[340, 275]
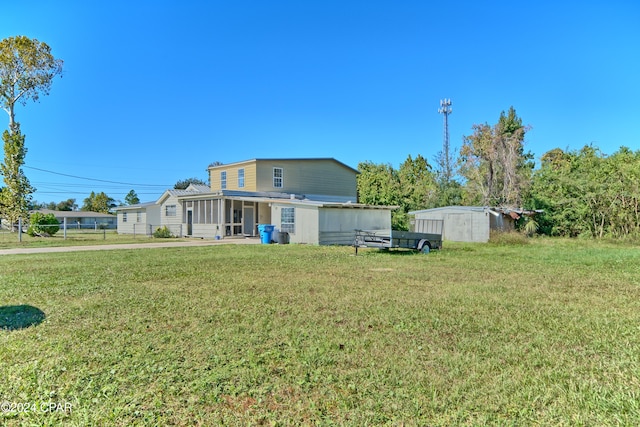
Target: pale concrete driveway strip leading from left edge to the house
[164, 244]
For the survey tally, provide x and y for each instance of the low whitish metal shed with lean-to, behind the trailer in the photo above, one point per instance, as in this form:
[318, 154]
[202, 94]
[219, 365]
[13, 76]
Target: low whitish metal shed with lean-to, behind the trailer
[472, 223]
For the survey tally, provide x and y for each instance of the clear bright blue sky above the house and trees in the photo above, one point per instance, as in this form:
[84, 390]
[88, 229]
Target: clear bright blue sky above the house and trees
[154, 91]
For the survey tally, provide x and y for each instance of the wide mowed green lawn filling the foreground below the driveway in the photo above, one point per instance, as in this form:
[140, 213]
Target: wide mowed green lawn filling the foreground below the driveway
[545, 333]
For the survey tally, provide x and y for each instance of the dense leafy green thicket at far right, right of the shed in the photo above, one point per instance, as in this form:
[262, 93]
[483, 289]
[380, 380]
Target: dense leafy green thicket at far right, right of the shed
[585, 192]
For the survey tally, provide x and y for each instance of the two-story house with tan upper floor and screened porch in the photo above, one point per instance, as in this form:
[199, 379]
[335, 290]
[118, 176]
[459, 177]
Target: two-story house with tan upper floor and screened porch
[313, 200]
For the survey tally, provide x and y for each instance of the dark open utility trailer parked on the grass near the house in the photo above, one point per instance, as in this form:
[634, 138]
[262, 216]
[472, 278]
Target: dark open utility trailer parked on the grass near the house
[422, 242]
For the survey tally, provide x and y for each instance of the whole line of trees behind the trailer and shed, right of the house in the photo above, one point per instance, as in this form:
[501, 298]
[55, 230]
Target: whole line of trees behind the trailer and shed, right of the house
[581, 192]
